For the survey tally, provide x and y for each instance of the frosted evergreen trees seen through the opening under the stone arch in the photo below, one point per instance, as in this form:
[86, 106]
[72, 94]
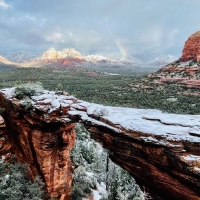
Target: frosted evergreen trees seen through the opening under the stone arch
[93, 167]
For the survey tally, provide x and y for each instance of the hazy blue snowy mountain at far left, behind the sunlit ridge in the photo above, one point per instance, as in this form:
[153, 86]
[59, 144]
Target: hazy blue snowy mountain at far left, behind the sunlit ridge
[20, 57]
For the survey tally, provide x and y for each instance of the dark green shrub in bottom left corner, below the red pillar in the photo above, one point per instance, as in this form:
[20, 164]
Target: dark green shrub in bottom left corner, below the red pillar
[14, 183]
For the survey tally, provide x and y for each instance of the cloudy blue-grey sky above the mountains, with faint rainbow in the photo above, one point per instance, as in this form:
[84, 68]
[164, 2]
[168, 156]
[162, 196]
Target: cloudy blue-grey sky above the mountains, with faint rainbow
[106, 27]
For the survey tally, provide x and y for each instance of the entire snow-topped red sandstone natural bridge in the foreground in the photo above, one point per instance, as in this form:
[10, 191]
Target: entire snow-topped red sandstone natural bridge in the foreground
[160, 150]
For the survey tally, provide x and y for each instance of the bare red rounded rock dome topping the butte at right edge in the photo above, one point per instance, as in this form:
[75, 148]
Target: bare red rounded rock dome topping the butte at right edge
[191, 50]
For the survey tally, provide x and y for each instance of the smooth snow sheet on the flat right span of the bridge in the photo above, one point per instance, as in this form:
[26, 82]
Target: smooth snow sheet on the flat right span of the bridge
[171, 126]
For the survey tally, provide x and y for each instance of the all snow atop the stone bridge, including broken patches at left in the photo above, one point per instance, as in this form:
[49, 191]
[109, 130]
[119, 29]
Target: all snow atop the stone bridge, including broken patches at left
[152, 123]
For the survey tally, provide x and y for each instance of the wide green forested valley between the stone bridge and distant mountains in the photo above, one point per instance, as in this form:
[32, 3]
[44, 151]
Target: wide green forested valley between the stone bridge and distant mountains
[115, 90]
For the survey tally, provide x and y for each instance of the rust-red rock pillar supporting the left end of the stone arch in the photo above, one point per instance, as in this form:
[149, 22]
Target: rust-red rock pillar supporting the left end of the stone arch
[41, 139]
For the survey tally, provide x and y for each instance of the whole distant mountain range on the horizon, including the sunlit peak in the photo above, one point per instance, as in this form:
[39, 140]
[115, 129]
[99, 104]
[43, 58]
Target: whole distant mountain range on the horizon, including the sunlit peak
[71, 58]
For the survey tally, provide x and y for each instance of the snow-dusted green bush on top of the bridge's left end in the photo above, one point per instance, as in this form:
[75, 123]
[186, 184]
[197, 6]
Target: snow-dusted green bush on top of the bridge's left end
[27, 90]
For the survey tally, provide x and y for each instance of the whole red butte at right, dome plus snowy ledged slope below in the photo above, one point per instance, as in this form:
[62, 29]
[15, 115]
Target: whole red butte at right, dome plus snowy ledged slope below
[186, 70]
